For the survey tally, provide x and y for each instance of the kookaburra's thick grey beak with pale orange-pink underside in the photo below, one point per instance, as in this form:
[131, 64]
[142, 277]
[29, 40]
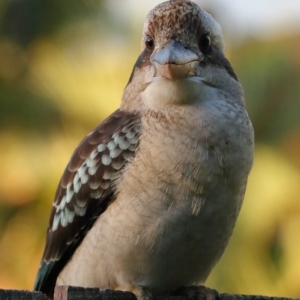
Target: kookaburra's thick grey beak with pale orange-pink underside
[174, 61]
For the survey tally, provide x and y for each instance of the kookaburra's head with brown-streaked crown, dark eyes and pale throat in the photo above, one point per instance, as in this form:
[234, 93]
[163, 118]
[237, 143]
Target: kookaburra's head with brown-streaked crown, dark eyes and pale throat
[182, 59]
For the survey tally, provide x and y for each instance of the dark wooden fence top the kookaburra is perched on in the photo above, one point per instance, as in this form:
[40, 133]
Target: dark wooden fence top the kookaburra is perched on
[78, 293]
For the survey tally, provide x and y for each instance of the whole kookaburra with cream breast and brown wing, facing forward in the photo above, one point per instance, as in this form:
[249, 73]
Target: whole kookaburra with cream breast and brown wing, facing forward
[150, 197]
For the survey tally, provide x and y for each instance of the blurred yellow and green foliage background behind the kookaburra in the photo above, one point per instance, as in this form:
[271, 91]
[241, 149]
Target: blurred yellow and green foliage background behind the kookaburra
[63, 67]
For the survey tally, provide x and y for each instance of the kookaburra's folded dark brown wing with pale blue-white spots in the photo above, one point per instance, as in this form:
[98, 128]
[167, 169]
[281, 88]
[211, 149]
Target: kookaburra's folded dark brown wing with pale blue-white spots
[85, 190]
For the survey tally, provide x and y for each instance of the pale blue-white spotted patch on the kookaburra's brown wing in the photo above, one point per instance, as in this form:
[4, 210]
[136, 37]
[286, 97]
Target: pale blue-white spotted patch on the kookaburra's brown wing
[104, 156]
